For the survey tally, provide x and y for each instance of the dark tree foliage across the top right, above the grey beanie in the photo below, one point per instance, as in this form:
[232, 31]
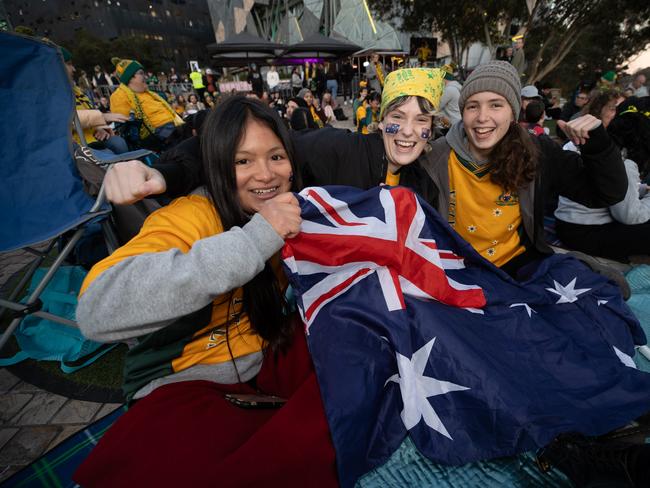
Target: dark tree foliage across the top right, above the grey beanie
[606, 32]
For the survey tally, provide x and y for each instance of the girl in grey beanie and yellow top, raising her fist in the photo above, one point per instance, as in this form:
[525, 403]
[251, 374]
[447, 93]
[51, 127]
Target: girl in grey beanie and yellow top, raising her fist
[492, 178]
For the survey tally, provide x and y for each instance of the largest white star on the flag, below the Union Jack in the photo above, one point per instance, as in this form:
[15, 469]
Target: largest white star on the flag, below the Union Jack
[416, 388]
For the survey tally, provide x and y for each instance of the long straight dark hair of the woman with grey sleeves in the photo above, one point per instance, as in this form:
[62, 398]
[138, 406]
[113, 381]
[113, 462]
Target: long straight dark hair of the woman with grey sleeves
[222, 133]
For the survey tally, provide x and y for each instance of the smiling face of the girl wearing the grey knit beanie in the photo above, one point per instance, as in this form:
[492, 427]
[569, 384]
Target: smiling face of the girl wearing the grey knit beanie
[487, 117]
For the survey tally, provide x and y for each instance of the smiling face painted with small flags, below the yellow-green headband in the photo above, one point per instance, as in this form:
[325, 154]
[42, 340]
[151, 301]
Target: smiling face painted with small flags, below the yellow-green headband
[404, 145]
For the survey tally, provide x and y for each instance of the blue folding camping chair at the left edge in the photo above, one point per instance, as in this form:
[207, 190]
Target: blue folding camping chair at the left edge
[42, 195]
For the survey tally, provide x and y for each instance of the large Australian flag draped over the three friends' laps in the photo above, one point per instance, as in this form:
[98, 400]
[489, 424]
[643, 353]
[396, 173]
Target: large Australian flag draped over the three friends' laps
[413, 333]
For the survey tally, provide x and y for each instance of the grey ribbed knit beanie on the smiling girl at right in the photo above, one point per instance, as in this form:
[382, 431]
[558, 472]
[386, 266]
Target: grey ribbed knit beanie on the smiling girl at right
[498, 77]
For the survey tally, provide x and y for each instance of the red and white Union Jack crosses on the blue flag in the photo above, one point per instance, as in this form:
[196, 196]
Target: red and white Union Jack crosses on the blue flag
[393, 248]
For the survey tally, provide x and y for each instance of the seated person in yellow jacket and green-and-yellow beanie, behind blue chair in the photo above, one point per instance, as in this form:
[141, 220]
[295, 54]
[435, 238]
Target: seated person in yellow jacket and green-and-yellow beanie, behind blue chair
[133, 97]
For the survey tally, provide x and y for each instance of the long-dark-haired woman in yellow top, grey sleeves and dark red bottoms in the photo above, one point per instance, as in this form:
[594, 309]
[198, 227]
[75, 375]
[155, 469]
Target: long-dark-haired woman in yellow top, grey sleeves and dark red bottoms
[201, 291]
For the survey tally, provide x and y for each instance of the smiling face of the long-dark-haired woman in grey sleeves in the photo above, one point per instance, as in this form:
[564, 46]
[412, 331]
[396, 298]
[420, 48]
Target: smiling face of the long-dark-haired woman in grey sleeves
[262, 167]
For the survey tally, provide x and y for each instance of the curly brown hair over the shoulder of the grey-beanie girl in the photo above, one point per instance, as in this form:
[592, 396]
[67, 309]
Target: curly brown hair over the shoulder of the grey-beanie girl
[513, 160]
